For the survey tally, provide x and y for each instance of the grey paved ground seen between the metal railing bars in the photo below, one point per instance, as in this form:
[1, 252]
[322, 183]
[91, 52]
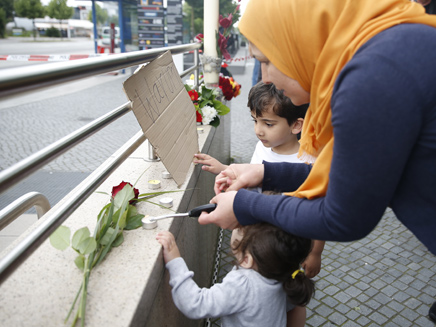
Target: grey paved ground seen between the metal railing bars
[32, 125]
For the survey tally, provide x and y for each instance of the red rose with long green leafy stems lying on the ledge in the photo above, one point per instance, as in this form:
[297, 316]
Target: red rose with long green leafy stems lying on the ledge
[115, 217]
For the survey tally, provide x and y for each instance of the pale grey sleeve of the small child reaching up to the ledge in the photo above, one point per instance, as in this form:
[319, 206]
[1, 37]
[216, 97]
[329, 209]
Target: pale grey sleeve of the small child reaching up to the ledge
[196, 303]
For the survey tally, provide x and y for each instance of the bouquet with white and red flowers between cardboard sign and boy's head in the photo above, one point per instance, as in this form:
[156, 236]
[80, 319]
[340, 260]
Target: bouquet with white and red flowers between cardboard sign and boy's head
[208, 108]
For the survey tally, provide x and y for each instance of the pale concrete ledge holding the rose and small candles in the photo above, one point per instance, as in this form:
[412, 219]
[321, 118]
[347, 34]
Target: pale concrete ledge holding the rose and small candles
[130, 287]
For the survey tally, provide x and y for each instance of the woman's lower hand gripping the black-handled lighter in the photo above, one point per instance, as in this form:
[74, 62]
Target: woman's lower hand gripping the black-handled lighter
[223, 216]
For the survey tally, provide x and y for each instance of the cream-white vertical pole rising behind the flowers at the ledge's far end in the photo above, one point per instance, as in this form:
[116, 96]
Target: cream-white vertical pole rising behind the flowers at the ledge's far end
[210, 28]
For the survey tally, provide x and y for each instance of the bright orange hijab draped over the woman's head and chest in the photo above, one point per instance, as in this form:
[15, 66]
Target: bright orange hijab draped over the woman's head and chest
[311, 41]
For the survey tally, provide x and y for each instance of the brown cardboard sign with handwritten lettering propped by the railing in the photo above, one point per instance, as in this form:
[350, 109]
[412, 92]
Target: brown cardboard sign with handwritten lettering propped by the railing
[166, 114]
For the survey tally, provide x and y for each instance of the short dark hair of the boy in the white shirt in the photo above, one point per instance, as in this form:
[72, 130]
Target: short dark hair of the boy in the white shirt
[263, 96]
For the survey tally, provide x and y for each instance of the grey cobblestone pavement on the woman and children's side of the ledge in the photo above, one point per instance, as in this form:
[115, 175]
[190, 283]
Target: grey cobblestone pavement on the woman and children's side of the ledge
[386, 279]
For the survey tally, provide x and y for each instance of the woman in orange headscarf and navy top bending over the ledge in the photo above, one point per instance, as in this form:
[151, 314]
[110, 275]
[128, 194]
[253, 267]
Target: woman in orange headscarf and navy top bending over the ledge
[369, 136]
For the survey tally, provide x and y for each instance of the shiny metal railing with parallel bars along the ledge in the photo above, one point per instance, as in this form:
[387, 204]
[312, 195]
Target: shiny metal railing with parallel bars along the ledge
[24, 79]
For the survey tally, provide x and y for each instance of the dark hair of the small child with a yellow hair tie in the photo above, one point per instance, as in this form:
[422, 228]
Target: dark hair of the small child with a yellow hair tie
[277, 255]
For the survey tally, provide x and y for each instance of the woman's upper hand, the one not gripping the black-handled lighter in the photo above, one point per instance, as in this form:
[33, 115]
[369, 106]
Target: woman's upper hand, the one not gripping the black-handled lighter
[239, 176]
